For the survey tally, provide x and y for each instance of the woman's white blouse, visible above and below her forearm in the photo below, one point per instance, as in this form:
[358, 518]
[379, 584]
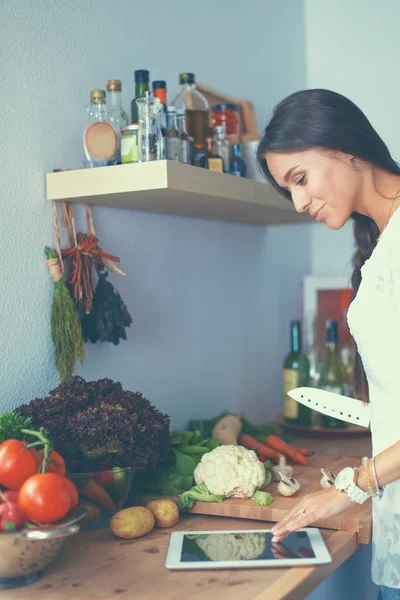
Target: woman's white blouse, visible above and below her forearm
[374, 322]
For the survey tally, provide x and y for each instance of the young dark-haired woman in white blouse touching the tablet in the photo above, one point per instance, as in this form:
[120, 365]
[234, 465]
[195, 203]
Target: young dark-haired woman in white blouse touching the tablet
[321, 152]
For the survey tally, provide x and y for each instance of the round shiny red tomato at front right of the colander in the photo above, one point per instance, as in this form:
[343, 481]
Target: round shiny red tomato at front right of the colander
[45, 498]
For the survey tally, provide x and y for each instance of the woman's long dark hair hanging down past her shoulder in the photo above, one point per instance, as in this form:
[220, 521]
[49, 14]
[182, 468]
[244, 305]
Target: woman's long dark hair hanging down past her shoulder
[324, 119]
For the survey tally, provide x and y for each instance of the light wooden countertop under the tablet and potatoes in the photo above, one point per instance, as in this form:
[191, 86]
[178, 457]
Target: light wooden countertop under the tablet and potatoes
[97, 566]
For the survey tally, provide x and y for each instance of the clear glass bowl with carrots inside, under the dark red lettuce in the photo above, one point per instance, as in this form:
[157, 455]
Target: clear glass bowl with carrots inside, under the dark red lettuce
[102, 494]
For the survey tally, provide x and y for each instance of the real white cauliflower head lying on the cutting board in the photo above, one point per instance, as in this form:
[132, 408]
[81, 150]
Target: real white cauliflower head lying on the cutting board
[231, 471]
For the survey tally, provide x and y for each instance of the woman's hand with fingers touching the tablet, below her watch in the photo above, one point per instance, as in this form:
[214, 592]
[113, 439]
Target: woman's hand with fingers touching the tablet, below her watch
[323, 504]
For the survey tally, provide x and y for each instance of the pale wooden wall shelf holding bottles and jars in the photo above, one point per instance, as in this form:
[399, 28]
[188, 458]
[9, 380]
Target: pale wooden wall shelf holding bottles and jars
[174, 188]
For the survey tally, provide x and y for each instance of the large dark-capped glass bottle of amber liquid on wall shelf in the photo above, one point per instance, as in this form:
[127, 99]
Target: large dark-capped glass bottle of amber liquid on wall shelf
[197, 110]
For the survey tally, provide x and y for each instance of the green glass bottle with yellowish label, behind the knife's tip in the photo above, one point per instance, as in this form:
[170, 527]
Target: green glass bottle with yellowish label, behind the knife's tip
[295, 374]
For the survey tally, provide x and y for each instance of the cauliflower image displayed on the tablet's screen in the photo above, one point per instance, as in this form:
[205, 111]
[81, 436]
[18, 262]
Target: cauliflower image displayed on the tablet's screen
[233, 546]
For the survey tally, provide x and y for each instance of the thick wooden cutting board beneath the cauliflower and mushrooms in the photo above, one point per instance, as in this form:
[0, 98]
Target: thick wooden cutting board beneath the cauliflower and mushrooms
[357, 519]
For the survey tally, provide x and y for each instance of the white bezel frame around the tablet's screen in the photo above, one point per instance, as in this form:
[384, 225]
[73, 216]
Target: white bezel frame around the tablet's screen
[173, 561]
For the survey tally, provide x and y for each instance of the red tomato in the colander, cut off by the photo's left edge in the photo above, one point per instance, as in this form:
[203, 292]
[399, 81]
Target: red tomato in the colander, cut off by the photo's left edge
[17, 464]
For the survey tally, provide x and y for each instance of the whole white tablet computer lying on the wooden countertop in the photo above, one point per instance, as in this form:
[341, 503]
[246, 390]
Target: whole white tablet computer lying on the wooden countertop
[250, 548]
